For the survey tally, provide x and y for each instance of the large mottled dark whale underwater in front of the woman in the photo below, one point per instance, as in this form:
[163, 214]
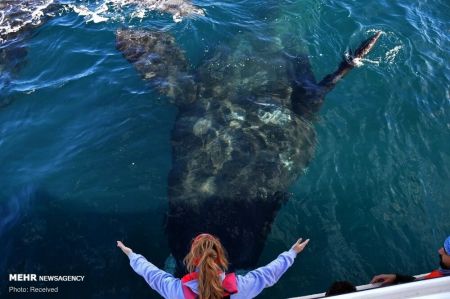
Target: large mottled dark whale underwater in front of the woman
[242, 135]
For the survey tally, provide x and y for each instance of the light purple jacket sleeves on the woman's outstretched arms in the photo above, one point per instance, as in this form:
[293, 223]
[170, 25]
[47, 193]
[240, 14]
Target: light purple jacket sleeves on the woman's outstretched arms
[249, 285]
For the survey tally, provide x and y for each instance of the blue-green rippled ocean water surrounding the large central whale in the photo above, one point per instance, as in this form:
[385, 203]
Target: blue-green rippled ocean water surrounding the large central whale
[85, 143]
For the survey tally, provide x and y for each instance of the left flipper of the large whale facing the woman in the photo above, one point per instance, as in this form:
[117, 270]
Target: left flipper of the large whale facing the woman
[159, 61]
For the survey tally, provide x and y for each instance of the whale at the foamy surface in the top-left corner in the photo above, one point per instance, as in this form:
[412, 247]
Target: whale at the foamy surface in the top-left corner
[19, 18]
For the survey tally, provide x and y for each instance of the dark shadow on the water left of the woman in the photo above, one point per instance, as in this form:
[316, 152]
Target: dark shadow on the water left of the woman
[42, 236]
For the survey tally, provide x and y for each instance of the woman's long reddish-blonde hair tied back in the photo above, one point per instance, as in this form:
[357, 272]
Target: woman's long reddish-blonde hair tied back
[208, 255]
